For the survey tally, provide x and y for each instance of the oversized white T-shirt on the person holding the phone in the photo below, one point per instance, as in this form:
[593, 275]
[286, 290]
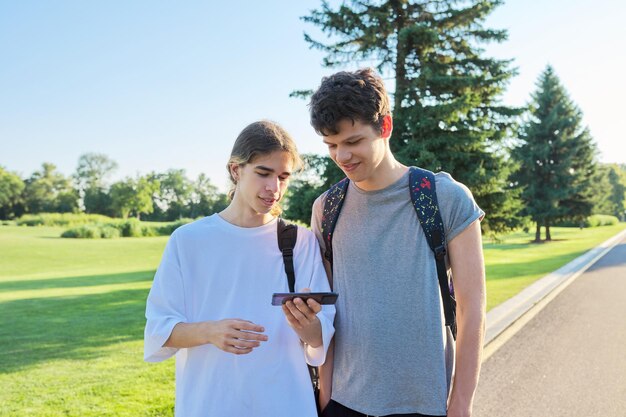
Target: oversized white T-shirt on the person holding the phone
[213, 270]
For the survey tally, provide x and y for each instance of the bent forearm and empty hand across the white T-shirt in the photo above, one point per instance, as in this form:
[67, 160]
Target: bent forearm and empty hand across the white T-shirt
[230, 335]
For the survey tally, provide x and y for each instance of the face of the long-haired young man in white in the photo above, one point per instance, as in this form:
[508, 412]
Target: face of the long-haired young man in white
[262, 182]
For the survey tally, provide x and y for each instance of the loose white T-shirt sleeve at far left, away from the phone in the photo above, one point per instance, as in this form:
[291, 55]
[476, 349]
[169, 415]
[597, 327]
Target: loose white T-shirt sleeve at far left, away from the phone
[165, 306]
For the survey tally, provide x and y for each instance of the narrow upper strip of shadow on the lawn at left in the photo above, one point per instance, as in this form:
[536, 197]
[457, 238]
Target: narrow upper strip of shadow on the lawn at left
[80, 281]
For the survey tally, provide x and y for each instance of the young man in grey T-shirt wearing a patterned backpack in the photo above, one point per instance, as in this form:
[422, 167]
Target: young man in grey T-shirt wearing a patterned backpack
[393, 354]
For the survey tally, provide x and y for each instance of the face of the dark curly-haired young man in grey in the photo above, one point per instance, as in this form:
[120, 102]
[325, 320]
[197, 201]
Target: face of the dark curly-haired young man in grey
[358, 149]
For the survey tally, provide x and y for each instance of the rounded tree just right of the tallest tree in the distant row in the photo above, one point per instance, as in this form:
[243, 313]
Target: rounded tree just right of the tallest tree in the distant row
[133, 196]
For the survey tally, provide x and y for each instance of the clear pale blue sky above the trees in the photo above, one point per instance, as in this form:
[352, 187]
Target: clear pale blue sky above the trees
[157, 85]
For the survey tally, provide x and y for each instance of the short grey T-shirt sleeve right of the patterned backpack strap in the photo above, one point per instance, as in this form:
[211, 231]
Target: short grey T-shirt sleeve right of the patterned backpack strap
[458, 208]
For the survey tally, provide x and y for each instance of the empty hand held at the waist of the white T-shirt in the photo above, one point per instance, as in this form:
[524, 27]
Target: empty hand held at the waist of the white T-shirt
[235, 335]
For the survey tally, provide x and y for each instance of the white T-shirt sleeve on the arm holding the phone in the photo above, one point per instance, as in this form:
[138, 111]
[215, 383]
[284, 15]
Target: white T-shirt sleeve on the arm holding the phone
[311, 273]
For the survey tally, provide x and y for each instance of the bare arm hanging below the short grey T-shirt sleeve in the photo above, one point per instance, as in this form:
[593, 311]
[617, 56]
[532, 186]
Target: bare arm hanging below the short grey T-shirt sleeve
[466, 261]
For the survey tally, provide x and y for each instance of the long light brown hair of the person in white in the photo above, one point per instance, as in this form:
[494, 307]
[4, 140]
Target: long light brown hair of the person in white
[257, 139]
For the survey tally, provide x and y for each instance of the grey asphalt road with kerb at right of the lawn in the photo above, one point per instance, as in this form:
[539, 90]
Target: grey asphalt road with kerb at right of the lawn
[570, 359]
